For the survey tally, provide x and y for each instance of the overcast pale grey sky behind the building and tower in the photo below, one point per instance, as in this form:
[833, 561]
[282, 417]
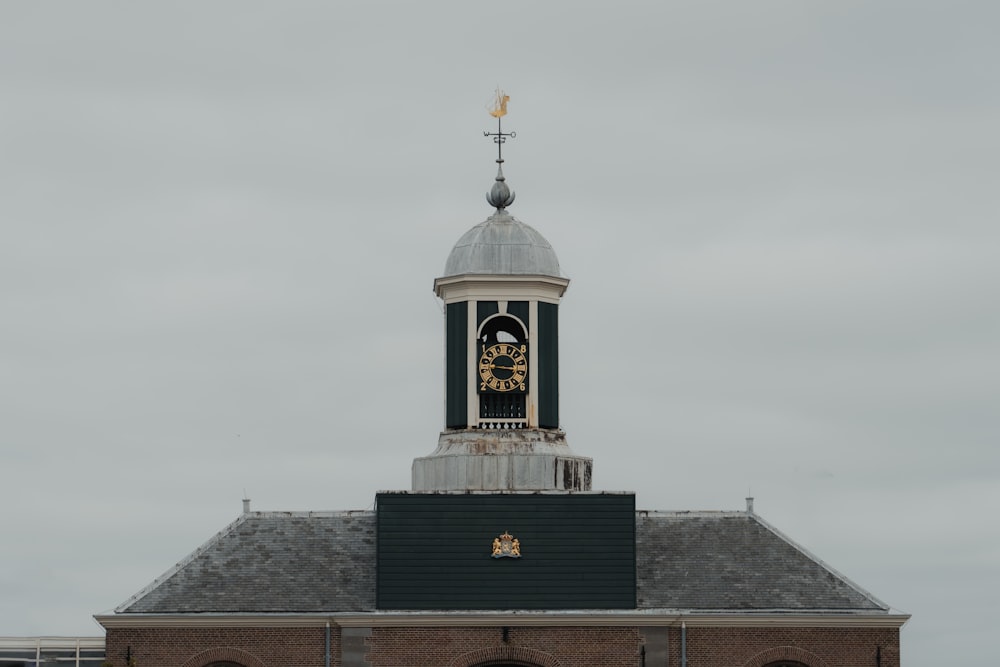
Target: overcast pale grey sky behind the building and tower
[221, 222]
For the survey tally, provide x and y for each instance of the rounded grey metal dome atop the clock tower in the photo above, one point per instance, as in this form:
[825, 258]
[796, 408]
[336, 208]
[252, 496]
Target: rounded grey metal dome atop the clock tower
[502, 245]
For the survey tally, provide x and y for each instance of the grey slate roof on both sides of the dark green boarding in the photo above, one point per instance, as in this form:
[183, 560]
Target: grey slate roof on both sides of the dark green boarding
[272, 562]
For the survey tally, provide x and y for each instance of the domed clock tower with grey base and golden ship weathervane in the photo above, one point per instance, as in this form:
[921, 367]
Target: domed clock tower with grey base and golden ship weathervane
[501, 290]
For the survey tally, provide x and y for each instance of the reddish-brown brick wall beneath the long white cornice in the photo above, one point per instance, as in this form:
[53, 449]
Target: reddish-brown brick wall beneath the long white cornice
[536, 646]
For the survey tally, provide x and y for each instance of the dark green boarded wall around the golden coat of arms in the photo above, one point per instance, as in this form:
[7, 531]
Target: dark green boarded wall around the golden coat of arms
[434, 551]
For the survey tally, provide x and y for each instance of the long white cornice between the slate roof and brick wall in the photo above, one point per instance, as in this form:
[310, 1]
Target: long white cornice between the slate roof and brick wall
[669, 618]
